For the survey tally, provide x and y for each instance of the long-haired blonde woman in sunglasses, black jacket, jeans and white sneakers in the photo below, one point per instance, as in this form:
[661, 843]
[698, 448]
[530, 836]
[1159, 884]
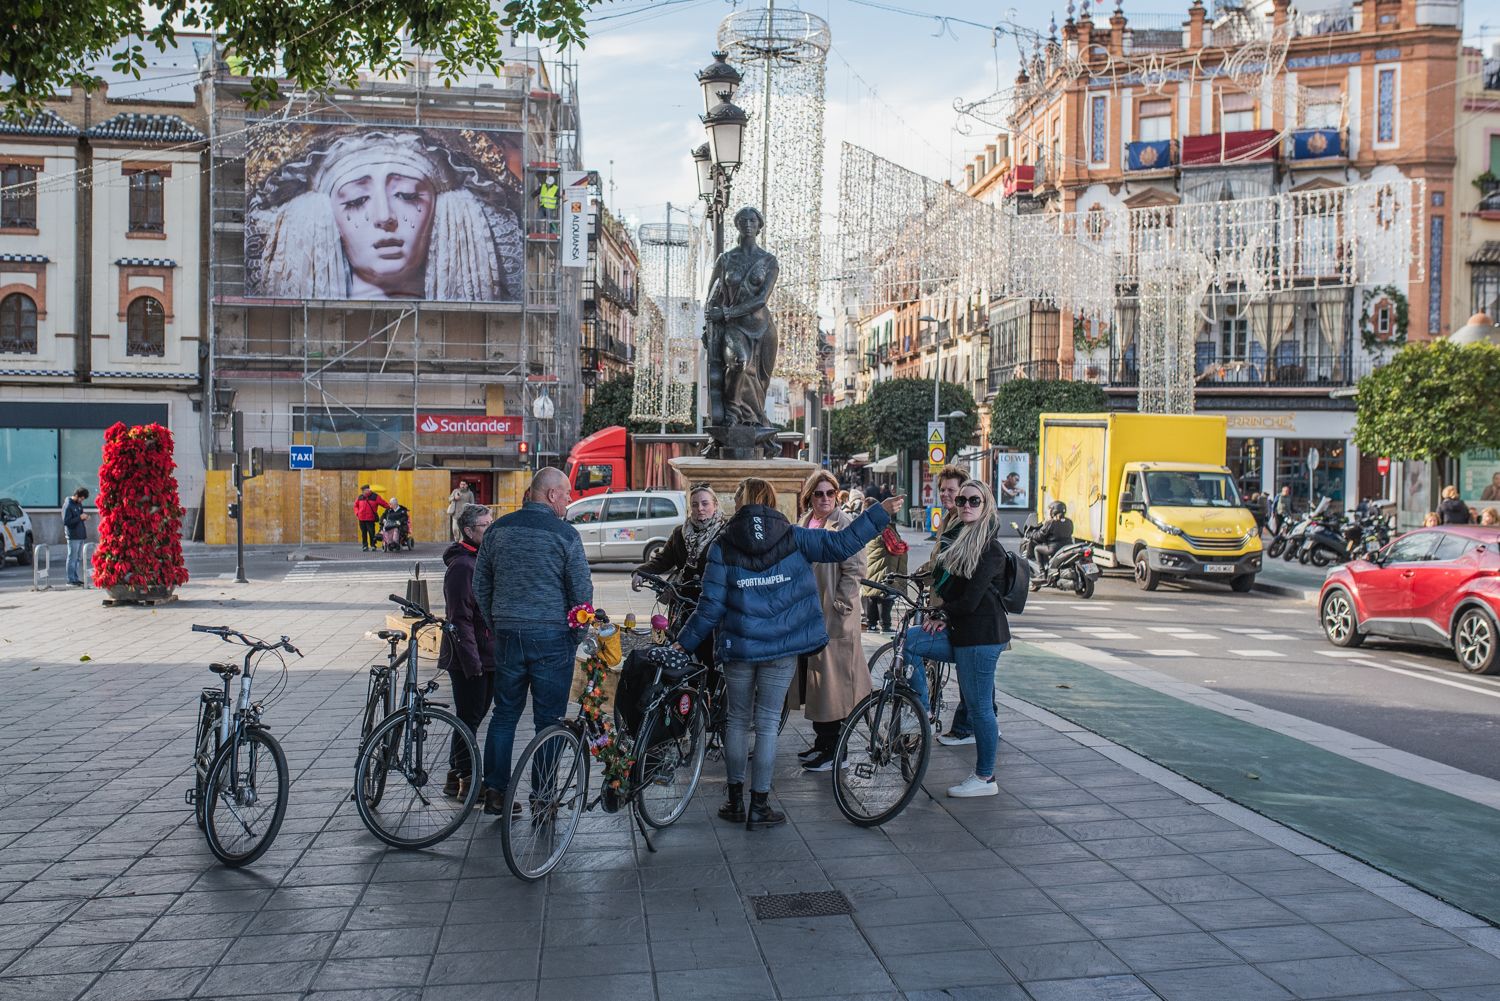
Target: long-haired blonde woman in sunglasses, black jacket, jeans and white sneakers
[970, 630]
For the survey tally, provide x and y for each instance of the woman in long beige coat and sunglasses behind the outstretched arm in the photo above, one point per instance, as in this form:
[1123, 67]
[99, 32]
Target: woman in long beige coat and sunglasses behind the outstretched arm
[830, 684]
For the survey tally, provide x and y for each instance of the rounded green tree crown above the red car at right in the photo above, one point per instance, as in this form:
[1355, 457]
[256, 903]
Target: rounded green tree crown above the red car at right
[1432, 401]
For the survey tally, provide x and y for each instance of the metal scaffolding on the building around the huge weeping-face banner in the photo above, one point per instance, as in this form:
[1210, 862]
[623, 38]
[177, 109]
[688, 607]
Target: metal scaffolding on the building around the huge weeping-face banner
[353, 376]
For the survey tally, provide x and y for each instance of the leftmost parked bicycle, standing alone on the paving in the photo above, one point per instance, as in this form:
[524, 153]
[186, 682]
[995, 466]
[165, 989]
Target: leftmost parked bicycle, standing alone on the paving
[241, 781]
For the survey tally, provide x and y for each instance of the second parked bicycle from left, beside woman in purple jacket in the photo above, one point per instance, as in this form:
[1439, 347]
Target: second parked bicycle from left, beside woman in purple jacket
[416, 742]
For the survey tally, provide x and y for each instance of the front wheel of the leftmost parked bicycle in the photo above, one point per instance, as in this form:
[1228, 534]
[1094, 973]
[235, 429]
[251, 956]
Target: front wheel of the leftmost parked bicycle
[247, 798]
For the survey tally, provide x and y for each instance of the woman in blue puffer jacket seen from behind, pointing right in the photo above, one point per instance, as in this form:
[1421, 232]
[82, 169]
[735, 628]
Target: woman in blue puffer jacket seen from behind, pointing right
[761, 597]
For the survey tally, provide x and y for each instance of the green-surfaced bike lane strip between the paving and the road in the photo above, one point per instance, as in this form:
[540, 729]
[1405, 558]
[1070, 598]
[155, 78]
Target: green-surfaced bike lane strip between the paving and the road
[1432, 840]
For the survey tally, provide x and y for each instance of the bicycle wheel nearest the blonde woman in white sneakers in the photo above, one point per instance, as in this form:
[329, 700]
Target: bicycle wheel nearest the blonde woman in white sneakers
[883, 757]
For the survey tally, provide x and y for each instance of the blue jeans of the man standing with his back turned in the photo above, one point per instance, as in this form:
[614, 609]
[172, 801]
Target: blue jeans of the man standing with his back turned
[541, 663]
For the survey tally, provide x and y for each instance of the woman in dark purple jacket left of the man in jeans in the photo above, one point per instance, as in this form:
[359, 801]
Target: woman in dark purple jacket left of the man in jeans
[469, 655]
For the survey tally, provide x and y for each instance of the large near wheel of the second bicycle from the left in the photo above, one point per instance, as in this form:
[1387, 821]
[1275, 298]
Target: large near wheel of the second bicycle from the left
[413, 748]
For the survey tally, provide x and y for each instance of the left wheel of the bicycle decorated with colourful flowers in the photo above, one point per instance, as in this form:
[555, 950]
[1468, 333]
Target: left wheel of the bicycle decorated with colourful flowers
[550, 784]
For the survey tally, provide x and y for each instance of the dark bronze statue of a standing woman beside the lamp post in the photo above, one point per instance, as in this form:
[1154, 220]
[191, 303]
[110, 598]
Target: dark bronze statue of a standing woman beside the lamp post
[740, 335]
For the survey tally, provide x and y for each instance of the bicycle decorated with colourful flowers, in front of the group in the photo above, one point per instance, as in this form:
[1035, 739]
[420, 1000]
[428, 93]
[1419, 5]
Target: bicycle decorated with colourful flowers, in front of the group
[668, 754]
